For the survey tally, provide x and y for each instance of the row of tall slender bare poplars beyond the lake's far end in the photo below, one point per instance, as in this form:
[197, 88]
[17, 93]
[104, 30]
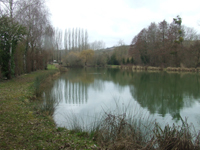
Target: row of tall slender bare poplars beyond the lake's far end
[74, 39]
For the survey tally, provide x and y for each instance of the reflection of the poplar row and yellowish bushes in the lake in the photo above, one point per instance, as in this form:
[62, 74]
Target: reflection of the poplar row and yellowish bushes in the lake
[72, 88]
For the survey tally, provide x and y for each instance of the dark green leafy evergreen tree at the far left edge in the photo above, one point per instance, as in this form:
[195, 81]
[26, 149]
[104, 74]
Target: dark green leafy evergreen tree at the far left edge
[10, 33]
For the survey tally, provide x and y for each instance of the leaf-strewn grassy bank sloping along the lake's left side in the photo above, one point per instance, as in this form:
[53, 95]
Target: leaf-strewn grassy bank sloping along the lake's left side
[22, 123]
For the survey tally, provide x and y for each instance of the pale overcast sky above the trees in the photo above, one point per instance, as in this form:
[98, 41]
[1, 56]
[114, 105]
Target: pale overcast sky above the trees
[114, 20]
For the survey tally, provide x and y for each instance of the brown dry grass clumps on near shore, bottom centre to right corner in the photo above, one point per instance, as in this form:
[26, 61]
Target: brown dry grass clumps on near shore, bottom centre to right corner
[116, 133]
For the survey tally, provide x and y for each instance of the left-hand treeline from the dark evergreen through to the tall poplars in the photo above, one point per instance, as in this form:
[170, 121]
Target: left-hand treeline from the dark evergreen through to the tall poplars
[28, 41]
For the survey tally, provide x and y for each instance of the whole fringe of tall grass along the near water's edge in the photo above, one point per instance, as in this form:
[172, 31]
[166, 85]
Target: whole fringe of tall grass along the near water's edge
[121, 128]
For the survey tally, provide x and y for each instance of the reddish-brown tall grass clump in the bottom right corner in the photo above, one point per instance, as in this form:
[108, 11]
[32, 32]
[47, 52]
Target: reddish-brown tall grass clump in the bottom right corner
[177, 137]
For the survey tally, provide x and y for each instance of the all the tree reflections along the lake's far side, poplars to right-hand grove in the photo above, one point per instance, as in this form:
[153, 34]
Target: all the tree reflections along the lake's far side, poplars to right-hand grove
[161, 93]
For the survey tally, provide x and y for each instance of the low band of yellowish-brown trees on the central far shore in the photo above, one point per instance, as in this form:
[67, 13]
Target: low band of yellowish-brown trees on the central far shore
[99, 56]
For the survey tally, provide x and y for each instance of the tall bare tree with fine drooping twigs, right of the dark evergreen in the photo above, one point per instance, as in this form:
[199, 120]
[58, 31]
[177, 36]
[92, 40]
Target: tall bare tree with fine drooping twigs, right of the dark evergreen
[34, 16]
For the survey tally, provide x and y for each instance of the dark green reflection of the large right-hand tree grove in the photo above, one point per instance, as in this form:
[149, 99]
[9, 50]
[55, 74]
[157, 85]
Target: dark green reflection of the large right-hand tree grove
[165, 93]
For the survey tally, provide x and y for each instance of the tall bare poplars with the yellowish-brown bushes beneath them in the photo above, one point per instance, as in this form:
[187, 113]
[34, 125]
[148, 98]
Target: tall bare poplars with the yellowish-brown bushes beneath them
[75, 41]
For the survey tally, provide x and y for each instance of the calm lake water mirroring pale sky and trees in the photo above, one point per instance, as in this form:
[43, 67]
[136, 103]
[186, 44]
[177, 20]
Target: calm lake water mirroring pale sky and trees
[164, 97]
